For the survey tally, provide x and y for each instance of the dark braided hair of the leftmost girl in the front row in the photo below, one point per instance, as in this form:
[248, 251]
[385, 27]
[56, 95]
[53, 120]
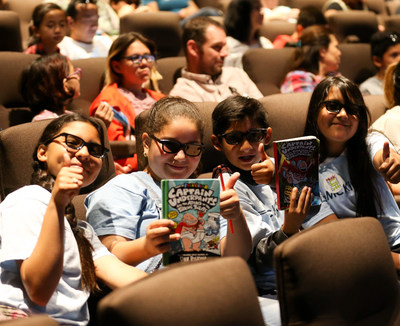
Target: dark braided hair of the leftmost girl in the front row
[42, 177]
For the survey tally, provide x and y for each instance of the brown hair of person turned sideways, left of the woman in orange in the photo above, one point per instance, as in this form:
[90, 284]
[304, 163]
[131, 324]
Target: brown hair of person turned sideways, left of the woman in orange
[42, 84]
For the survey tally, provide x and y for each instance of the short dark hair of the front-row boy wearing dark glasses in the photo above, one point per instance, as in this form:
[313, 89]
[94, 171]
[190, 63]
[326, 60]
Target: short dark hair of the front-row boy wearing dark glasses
[236, 108]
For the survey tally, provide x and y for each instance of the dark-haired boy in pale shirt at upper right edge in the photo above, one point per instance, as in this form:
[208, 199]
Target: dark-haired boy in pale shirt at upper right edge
[385, 50]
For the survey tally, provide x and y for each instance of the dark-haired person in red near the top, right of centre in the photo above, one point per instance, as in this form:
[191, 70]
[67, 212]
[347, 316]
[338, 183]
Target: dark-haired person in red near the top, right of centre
[308, 16]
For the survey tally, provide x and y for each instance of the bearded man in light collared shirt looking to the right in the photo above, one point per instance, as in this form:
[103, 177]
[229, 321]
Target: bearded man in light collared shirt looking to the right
[205, 79]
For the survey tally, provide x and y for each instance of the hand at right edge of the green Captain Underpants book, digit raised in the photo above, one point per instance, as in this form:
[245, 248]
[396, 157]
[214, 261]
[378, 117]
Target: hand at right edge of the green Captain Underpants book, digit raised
[230, 205]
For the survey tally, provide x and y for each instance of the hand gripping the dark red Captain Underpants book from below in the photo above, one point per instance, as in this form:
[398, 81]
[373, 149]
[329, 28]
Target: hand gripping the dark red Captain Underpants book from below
[297, 211]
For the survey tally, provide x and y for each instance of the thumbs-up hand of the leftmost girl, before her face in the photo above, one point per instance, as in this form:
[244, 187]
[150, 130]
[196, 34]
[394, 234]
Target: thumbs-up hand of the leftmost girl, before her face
[68, 182]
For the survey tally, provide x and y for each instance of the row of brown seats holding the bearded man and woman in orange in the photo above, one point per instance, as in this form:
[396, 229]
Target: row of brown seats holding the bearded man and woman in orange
[266, 67]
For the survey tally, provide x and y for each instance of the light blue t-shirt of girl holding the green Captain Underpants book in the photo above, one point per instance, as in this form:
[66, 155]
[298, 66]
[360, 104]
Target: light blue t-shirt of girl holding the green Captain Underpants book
[125, 206]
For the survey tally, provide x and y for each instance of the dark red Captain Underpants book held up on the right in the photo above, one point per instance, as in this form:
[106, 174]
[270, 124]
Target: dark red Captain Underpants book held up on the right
[296, 165]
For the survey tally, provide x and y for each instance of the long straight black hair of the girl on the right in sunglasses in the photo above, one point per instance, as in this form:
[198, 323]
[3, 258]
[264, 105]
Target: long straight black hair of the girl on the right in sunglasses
[360, 166]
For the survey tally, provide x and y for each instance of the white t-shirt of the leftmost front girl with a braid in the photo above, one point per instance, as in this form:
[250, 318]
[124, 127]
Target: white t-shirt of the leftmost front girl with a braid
[21, 218]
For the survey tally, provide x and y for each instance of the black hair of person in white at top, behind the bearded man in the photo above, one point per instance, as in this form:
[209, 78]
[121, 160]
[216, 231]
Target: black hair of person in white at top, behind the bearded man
[238, 19]
